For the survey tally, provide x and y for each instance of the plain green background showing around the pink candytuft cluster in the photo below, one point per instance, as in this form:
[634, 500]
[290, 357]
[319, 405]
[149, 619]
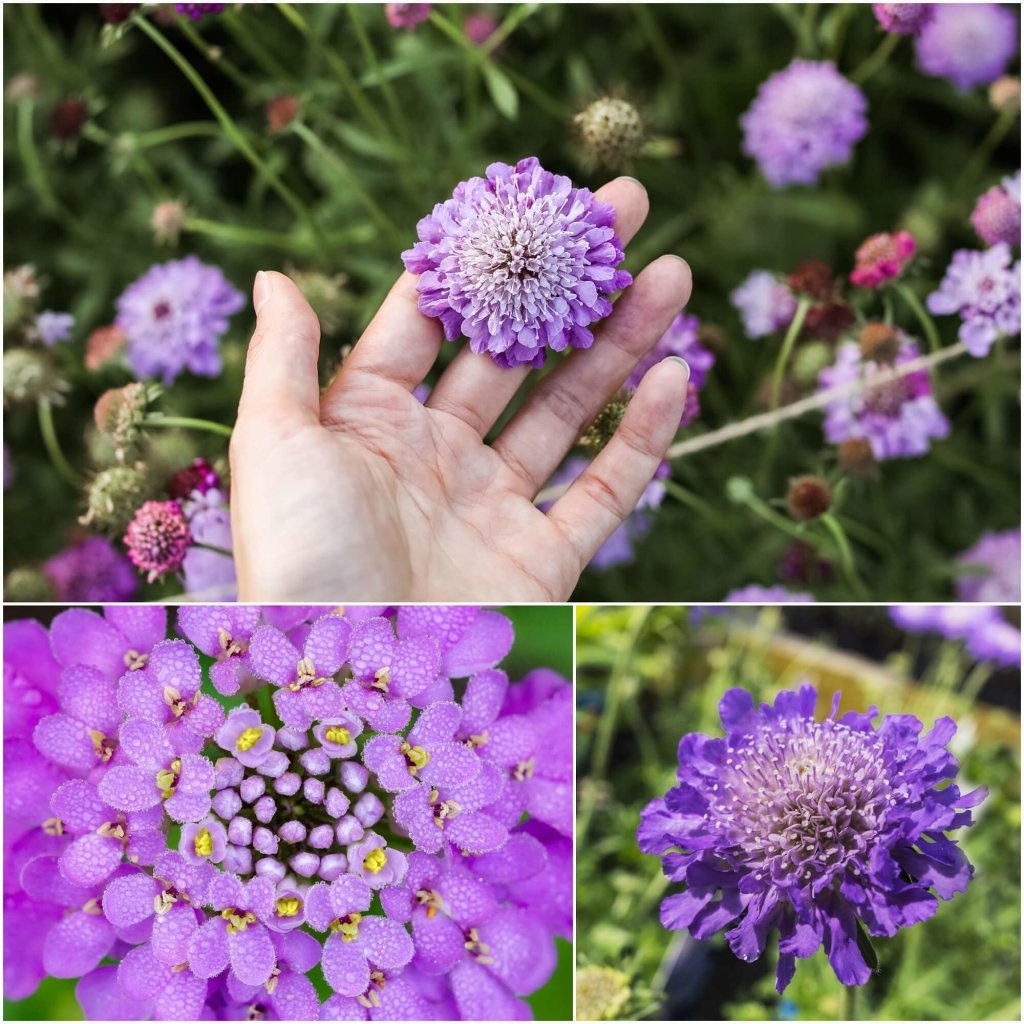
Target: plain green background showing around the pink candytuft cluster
[543, 639]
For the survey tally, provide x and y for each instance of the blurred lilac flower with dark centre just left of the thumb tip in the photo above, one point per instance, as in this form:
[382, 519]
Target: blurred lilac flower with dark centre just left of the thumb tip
[175, 317]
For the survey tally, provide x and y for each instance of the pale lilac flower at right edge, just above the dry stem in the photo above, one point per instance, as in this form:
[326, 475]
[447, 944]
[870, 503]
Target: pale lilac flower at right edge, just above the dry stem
[985, 290]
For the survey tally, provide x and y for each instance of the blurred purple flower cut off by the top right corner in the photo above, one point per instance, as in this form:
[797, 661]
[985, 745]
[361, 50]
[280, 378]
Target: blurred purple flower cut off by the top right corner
[969, 44]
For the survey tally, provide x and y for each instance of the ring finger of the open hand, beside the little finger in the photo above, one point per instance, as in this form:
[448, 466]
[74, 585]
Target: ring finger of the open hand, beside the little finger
[561, 407]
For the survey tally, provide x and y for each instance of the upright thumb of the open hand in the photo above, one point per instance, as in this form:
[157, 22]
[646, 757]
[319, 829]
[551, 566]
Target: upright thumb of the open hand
[281, 380]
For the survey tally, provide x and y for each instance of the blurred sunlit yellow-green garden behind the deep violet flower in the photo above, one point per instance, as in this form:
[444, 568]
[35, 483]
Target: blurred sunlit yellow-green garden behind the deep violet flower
[648, 676]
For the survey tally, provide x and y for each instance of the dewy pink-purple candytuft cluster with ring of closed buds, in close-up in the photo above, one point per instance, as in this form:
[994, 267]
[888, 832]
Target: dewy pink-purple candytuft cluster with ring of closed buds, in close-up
[378, 800]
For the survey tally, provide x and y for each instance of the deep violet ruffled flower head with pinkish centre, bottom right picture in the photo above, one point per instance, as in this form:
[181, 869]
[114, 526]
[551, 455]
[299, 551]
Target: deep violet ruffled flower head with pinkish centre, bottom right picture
[817, 829]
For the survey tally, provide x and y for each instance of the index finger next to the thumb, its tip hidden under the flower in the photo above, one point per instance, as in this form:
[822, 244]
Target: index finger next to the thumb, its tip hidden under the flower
[400, 346]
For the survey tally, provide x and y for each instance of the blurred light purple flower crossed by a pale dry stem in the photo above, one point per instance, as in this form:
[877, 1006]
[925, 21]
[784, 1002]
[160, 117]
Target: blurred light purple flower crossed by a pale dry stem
[900, 419]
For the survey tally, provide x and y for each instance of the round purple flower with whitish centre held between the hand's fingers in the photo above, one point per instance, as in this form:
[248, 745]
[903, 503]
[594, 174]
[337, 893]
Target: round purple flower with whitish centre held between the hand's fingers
[519, 262]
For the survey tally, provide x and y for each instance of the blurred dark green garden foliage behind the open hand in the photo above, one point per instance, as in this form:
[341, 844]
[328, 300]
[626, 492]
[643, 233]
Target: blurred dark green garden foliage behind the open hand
[313, 138]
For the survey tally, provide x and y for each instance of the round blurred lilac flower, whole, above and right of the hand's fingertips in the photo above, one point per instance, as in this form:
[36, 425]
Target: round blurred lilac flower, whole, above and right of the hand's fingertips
[804, 119]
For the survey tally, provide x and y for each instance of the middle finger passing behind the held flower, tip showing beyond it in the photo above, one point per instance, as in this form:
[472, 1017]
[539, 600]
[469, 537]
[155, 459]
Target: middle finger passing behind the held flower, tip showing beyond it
[474, 388]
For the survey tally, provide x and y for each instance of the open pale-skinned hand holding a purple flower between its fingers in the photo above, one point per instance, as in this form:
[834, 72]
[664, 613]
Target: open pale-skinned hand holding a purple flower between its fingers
[363, 494]
